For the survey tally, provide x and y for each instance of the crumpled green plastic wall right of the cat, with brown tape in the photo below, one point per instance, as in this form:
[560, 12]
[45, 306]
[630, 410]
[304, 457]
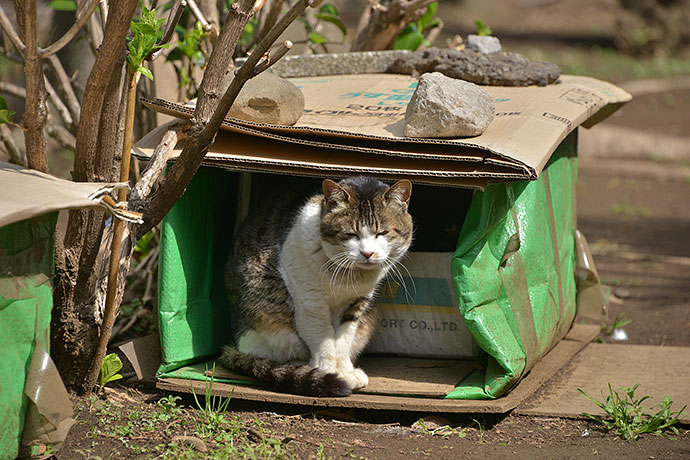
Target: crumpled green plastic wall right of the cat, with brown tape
[514, 272]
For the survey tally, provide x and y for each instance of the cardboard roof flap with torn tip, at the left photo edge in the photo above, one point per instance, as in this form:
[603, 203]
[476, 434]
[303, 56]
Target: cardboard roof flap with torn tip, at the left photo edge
[26, 193]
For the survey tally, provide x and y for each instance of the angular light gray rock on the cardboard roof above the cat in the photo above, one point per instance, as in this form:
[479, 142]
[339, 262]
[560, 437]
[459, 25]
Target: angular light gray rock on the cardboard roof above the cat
[445, 107]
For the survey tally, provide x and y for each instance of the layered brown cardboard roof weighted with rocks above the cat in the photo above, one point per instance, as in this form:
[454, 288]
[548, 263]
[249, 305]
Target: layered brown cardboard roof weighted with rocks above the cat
[365, 114]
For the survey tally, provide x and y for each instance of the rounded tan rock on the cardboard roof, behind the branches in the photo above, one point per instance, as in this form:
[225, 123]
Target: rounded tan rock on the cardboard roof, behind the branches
[267, 98]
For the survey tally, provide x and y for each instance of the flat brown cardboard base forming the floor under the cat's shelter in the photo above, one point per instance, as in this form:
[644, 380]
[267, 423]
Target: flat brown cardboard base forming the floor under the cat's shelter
[431, 377]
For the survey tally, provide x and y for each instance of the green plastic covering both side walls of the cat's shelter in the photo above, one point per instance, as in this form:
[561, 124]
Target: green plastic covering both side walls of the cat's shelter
[513, 270]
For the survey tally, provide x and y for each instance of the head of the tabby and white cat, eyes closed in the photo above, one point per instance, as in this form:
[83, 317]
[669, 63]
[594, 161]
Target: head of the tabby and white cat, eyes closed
[364, 222]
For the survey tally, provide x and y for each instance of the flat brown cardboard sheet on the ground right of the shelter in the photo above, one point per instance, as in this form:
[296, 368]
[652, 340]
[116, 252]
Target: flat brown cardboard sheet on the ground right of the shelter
[660, 371]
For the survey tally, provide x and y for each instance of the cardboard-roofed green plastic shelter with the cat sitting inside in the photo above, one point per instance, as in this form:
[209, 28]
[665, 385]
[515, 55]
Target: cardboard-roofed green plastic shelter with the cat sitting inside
[513, 269]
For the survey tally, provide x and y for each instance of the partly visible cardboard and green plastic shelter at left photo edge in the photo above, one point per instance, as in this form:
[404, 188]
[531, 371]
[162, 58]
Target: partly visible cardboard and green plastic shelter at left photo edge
[34, 404]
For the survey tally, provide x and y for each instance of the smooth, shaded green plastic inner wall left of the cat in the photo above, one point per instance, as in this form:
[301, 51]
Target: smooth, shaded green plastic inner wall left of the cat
[194, 316]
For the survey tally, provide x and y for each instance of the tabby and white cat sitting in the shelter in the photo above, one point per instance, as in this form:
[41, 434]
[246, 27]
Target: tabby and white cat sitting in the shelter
[305, 291]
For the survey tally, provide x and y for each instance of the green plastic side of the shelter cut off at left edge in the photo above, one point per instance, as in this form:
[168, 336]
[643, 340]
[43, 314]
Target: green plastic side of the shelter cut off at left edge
[26, 264]
